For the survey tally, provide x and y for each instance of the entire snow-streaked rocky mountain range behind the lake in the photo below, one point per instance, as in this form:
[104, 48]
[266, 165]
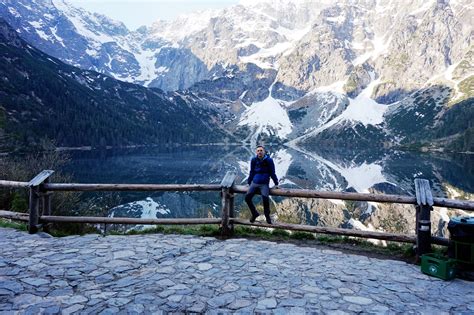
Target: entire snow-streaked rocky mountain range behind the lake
[300, 71]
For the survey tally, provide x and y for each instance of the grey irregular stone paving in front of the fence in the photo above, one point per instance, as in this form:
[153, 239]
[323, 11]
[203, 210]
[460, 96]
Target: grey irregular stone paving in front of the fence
[175, 273]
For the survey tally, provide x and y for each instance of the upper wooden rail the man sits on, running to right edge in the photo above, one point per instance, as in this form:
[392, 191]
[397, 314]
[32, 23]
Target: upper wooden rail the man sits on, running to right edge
[306, 193]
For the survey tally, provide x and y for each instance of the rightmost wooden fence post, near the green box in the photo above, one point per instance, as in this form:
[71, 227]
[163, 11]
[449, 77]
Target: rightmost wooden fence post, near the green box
[424, 200]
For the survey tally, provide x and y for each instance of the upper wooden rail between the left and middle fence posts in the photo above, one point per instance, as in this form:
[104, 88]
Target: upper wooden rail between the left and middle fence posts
[129, 187]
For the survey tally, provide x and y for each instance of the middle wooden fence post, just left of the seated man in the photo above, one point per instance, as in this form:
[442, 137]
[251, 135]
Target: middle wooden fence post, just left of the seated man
[227, 195]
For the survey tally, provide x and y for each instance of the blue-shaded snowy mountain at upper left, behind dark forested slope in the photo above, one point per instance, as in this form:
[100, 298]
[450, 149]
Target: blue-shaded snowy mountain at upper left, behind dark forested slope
[95, 42]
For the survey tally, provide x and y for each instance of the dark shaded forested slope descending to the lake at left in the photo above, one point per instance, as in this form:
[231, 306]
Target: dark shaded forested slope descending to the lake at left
[43, 98]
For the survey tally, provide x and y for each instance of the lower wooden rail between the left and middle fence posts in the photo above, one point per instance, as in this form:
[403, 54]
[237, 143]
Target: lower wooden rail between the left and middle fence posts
[107, 220]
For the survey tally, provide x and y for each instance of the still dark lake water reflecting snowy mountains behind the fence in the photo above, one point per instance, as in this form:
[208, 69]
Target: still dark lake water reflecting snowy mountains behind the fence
[327, 170]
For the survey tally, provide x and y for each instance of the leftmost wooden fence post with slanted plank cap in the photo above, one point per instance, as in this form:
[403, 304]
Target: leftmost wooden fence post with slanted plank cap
[34, 204]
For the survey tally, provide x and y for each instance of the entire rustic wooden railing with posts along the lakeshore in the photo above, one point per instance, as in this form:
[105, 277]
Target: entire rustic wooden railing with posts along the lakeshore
[40, 190]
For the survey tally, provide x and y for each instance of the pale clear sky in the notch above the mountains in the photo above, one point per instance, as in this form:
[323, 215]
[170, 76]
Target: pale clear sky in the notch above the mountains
[135, 13]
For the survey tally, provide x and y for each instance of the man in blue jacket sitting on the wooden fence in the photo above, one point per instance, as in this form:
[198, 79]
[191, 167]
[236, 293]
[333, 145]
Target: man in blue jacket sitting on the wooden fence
[261, 169]
